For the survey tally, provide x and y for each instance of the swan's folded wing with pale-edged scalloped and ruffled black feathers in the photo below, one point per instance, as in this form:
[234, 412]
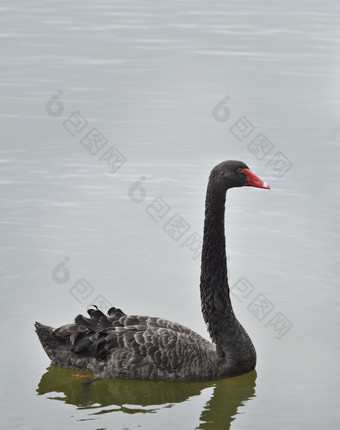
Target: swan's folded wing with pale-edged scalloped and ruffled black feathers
[130, 344]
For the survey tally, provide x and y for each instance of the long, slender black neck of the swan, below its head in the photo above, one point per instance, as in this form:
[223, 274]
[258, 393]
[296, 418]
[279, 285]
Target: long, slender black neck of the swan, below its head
[231, 340]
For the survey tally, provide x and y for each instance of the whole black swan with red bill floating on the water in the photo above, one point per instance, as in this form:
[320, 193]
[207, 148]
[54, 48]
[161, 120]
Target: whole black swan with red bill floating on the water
[117, 345]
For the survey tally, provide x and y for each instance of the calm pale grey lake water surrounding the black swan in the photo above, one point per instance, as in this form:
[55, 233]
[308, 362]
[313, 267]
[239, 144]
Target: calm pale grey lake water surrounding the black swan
[112, 115]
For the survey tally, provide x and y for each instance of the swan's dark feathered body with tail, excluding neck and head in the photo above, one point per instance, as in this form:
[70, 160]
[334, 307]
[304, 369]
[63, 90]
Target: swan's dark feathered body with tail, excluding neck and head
[129, 346]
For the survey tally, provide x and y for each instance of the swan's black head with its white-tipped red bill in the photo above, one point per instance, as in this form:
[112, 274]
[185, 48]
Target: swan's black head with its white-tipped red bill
[232, 173]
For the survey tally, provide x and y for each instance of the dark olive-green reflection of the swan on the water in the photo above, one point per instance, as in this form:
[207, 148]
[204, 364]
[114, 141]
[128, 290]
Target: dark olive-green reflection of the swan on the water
[138, 396]
